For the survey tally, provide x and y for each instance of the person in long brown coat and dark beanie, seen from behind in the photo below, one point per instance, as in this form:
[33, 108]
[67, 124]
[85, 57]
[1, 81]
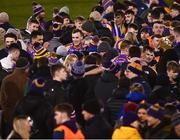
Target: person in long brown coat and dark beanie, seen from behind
[16, 83]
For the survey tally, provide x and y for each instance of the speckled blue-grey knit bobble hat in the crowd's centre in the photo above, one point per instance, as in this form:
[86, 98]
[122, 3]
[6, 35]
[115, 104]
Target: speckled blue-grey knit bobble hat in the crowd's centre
[78, 69]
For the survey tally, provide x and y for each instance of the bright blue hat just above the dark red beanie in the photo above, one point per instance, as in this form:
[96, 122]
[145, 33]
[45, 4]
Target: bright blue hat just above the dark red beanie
[136, 97]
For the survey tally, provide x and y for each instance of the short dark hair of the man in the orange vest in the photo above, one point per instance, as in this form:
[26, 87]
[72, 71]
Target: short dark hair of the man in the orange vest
[64, 107]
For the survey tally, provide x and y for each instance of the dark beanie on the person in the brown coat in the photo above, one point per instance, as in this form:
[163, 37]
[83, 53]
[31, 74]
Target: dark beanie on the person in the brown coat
[22, 63]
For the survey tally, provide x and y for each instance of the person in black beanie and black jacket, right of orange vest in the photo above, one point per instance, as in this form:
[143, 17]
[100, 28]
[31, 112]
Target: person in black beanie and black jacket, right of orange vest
[96, 126]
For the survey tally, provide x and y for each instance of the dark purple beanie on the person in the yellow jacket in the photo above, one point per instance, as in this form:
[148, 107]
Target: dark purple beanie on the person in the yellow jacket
[129, 118]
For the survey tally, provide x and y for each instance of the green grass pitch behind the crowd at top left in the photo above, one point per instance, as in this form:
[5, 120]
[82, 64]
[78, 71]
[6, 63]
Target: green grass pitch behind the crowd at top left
[20, 10]
